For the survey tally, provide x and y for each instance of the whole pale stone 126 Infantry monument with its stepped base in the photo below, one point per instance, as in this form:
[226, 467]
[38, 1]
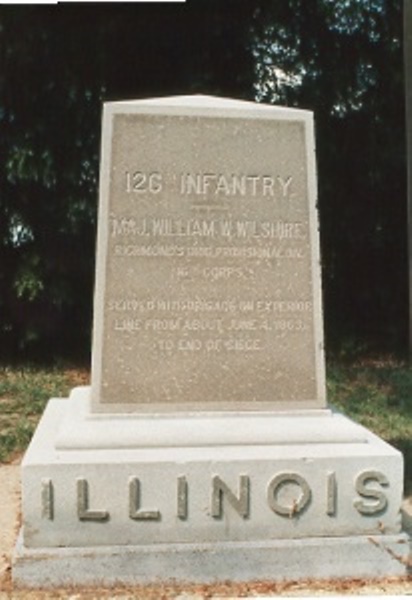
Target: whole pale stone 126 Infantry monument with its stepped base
[204, 449]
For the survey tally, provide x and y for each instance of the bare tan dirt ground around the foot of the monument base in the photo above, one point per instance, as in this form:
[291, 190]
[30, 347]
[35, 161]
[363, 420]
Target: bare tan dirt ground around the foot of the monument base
[9, 524]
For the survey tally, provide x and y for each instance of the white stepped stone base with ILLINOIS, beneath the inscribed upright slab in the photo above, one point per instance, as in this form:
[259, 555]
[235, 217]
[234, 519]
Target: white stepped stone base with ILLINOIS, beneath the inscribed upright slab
[312, 495]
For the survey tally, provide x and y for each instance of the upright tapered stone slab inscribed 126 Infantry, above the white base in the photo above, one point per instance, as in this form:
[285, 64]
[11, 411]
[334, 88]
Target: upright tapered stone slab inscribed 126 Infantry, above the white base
[208, 287]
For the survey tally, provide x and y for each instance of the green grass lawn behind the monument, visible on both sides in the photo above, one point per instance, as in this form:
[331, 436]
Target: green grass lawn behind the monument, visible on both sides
[377, 394]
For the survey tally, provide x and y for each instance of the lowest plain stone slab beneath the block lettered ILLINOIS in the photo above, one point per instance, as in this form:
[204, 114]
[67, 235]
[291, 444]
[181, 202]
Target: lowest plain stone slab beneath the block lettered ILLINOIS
[277, 560]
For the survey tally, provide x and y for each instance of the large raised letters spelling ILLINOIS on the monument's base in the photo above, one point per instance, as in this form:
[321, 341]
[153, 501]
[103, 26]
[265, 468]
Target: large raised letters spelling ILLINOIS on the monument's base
[368, 485]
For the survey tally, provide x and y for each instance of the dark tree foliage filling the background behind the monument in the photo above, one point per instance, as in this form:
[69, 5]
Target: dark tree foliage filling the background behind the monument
[340, 58]
